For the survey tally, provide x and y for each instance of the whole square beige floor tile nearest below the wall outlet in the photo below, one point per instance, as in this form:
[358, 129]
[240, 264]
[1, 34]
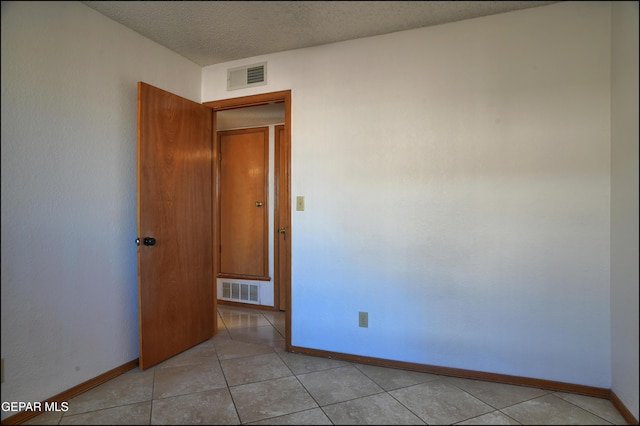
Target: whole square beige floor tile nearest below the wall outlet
[338, 385]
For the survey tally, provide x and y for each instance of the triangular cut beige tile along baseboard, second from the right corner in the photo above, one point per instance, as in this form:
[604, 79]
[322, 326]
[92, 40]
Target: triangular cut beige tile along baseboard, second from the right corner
[498, 395]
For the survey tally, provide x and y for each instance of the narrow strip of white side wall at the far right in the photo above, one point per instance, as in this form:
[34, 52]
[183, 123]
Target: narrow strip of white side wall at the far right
[624, 203]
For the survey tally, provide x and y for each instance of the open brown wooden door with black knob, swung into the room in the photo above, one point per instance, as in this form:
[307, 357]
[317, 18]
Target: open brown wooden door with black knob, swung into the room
[174, 207]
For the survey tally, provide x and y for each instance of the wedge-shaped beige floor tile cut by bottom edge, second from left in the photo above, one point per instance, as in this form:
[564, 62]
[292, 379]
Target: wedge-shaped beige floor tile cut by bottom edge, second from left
[134, 414]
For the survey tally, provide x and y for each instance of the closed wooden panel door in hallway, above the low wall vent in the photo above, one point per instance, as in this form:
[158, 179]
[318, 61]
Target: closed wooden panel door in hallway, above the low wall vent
[244, 211]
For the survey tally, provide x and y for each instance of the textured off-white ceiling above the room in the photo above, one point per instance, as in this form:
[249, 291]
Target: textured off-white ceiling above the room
[211, 32]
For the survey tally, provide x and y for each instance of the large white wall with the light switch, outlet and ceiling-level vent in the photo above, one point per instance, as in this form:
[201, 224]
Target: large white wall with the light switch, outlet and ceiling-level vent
[457, 189]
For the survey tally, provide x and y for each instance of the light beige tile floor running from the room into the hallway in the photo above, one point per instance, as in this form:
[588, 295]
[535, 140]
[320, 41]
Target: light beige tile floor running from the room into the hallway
[244, 376]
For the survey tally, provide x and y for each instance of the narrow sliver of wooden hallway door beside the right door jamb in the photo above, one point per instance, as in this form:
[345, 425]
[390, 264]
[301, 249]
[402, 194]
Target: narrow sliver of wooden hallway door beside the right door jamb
[282, 247]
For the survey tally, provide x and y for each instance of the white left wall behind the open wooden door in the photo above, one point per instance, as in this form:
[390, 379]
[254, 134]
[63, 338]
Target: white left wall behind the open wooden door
[69, 282]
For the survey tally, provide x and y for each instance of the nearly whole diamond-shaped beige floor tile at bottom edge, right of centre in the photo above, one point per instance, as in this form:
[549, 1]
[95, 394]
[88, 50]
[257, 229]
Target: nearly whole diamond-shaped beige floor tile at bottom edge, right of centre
[440, 402]
